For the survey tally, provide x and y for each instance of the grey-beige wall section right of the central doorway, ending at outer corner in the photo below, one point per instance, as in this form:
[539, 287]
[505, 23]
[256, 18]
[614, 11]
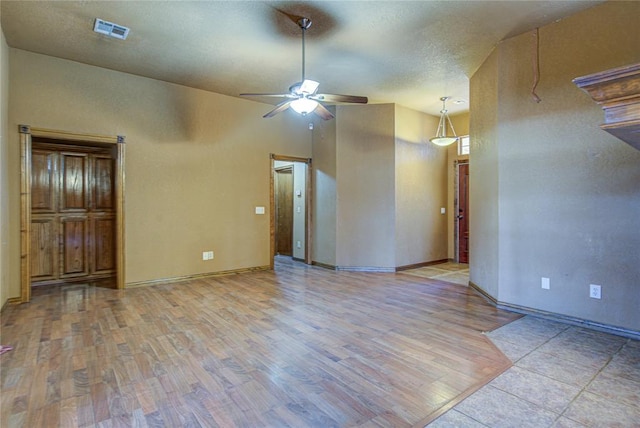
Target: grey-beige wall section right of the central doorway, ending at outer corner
[365, 150]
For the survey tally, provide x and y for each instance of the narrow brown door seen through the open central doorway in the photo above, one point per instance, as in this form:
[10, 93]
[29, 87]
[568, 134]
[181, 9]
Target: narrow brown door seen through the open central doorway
[284, 211]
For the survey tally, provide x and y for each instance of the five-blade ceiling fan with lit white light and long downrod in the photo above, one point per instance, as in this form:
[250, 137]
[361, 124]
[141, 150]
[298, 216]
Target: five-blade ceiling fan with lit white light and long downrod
[303, 96]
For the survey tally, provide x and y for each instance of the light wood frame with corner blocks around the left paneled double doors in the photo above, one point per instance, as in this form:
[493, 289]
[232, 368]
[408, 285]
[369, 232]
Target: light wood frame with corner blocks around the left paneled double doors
[26, 135]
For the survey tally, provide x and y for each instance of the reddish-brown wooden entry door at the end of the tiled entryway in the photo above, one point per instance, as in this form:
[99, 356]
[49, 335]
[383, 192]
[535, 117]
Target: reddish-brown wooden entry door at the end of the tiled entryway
[461, 230]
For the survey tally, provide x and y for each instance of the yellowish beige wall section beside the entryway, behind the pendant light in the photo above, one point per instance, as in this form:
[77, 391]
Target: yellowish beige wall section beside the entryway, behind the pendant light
[420, 190]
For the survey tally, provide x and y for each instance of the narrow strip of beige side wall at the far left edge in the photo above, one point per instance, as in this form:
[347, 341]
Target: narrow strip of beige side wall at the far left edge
[7, 275]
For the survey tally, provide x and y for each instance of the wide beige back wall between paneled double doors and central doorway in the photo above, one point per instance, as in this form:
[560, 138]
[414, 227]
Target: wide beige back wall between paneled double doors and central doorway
[197, 163]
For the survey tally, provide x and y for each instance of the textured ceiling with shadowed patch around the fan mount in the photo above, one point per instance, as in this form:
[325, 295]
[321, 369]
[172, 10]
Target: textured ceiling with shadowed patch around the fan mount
[405, 52]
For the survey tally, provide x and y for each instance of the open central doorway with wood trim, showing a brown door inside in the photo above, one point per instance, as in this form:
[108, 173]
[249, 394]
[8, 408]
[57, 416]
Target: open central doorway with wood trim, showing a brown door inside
[290, 208]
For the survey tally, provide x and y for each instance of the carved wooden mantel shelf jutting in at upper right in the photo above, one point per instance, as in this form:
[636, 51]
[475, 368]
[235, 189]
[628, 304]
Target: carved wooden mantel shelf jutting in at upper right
[618, 92]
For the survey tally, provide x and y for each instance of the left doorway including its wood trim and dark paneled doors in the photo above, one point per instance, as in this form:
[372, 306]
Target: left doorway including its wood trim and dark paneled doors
[72, 215]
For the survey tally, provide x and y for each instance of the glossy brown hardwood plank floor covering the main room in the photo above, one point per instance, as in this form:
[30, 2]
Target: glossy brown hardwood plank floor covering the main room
[299, 346]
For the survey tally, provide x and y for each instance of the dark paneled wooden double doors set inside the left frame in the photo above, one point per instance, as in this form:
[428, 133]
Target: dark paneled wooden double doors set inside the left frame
[72, 213]
